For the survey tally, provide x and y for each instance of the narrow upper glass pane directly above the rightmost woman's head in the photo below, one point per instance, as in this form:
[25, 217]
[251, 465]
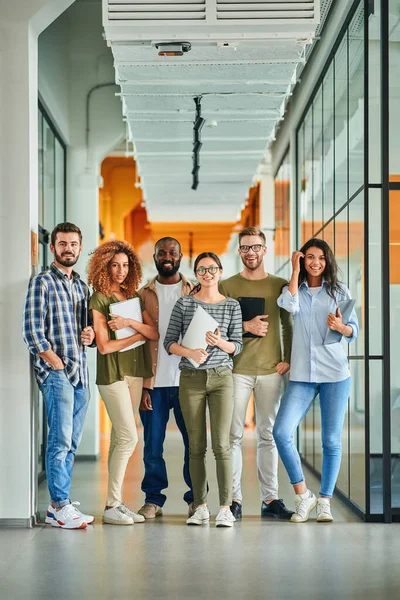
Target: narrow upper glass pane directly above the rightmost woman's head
[317, 163]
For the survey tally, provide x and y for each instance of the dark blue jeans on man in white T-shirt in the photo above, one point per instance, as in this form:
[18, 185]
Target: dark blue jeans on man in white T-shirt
[154, 425]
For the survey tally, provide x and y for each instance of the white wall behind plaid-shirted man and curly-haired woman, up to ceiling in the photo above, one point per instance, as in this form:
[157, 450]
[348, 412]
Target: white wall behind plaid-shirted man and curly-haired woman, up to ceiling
[73, 59]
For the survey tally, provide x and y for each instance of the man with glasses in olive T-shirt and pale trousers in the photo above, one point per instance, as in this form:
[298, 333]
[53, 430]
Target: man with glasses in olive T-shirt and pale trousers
[259, 370]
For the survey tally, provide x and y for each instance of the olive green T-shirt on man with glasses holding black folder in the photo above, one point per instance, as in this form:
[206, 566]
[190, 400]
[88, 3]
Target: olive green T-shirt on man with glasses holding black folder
[260, 355]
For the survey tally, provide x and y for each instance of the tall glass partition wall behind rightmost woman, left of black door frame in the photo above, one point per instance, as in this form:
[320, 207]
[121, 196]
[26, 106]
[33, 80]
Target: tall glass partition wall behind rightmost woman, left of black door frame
[330, 144]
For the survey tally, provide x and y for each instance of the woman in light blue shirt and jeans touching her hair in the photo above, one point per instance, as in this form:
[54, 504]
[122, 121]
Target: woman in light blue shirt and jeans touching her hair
[316, 367]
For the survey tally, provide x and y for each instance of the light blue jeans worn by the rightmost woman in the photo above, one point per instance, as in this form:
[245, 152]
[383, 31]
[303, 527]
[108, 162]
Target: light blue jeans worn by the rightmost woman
[295, 404]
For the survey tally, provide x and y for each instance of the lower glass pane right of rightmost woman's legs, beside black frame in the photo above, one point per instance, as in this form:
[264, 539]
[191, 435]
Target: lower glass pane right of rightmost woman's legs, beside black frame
[357, 433]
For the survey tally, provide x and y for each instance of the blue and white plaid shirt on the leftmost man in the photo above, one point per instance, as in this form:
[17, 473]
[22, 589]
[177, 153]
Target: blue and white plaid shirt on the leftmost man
[54, 317]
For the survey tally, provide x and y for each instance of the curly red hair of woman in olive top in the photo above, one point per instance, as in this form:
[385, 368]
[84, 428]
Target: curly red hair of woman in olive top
[99, 268]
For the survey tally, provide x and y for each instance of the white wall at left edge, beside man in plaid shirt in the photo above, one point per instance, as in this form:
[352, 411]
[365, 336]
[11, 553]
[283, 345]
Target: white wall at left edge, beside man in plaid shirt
[20, 24]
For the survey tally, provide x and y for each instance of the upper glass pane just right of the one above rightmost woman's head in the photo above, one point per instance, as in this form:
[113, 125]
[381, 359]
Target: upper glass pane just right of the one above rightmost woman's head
[328, 144]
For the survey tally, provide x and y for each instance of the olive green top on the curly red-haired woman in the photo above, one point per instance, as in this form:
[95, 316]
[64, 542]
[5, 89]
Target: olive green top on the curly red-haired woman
[117, 365]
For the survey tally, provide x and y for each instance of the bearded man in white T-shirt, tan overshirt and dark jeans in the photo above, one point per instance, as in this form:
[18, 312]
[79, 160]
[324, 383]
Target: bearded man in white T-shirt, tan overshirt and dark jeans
[161, 392]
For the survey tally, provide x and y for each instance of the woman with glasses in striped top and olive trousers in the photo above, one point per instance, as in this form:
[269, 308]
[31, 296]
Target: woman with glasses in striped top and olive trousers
[210, 384]
